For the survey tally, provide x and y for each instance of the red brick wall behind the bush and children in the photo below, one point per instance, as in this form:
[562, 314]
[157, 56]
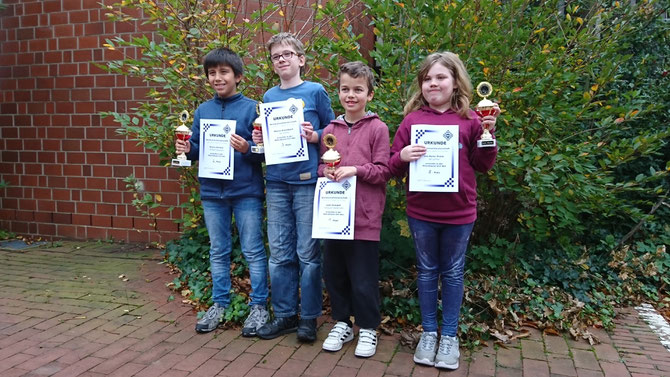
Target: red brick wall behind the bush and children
[64, 164]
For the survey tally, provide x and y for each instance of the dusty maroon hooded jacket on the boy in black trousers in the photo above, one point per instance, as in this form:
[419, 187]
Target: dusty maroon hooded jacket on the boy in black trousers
[366, 147]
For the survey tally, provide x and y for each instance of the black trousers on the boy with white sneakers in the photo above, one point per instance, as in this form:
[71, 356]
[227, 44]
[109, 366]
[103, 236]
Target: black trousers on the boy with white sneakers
[351, 271]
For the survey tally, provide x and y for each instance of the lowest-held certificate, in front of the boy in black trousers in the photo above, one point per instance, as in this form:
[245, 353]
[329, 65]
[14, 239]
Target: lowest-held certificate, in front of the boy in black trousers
[334, 209]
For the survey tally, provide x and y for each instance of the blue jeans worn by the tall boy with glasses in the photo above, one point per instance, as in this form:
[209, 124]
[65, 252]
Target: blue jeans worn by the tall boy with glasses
[295, 257]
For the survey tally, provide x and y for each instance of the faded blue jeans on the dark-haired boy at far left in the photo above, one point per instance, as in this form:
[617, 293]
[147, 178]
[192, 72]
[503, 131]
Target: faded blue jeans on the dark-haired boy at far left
[248, 218]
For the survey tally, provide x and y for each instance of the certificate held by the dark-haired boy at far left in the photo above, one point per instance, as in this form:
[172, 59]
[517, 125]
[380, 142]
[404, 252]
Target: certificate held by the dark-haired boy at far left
[217, 156]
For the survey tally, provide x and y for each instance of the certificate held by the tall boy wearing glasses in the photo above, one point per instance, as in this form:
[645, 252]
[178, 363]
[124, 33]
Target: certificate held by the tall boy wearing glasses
[282, 132]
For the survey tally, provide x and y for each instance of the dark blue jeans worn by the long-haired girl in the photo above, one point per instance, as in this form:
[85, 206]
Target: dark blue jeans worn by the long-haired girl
[440, 253]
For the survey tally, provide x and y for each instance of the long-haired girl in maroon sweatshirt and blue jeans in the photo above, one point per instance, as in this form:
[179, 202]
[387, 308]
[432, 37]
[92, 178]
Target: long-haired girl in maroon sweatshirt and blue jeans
[441, 222]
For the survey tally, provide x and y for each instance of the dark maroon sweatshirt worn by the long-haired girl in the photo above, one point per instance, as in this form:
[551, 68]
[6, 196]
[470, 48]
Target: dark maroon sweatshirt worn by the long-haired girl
[445, 207]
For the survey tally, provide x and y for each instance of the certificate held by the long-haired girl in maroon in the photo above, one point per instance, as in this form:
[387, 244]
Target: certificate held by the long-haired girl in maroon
[437, 170]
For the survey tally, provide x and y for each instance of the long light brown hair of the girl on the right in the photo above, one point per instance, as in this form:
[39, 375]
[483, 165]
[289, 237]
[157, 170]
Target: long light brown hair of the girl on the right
[460, 99]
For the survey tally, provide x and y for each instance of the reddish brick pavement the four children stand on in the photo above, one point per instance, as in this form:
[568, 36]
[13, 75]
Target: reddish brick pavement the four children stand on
[64, 311]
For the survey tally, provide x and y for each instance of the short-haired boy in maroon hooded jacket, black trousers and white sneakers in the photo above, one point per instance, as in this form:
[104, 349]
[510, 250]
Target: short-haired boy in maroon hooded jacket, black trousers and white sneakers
[351, 267]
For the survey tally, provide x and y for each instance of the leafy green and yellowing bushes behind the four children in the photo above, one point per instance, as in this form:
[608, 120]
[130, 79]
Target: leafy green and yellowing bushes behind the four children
[573, 218]
